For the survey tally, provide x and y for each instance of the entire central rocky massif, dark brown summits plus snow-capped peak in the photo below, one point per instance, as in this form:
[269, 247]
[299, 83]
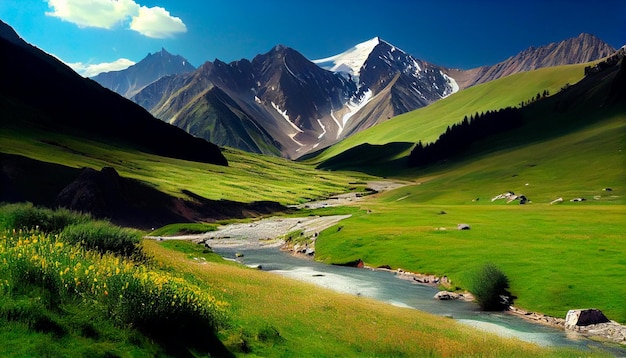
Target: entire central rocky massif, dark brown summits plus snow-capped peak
[282, 103]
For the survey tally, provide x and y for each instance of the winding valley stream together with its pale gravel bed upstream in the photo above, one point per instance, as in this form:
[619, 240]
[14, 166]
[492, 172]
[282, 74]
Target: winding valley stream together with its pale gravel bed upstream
[256, 245]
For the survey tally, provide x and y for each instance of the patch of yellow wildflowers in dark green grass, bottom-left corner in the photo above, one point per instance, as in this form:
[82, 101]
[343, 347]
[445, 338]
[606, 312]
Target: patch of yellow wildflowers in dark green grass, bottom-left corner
[97, 303]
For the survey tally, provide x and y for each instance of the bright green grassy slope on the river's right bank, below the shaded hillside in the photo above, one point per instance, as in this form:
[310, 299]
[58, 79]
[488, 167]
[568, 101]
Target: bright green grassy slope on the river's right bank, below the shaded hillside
[558, 257]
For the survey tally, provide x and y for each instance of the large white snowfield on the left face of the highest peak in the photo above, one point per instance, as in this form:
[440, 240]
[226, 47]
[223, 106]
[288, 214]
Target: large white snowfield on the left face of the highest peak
[350, 61]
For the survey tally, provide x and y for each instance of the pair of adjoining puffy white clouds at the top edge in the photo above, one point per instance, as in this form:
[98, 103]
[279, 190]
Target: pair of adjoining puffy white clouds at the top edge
[154, 22]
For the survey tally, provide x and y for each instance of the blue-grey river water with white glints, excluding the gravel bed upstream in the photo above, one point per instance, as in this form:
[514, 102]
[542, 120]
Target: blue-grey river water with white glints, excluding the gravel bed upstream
[385, 286]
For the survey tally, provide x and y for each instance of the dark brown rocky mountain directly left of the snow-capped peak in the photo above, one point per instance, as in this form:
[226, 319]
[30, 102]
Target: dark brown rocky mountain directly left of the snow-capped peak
[279, 103]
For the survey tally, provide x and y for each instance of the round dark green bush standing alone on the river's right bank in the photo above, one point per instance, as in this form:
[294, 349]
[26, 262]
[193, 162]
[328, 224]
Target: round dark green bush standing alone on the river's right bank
[489, 285]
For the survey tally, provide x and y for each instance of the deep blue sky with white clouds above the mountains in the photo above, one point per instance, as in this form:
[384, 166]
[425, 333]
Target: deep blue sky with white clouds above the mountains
[458, 34]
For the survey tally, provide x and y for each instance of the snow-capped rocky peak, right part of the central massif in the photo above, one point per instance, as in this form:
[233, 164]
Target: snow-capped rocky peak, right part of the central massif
[389, 81]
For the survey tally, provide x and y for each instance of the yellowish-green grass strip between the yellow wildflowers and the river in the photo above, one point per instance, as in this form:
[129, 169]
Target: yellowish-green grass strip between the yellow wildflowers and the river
[275, 316]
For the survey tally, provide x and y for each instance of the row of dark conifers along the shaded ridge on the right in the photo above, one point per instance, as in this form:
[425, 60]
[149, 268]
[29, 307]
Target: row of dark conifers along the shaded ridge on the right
[461, 135]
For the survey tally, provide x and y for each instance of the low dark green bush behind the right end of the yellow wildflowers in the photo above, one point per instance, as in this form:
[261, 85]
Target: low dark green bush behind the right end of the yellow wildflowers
[104, 237]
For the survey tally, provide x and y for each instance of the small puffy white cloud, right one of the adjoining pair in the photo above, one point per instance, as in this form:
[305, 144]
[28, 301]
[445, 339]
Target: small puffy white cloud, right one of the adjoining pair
[156, 22]
